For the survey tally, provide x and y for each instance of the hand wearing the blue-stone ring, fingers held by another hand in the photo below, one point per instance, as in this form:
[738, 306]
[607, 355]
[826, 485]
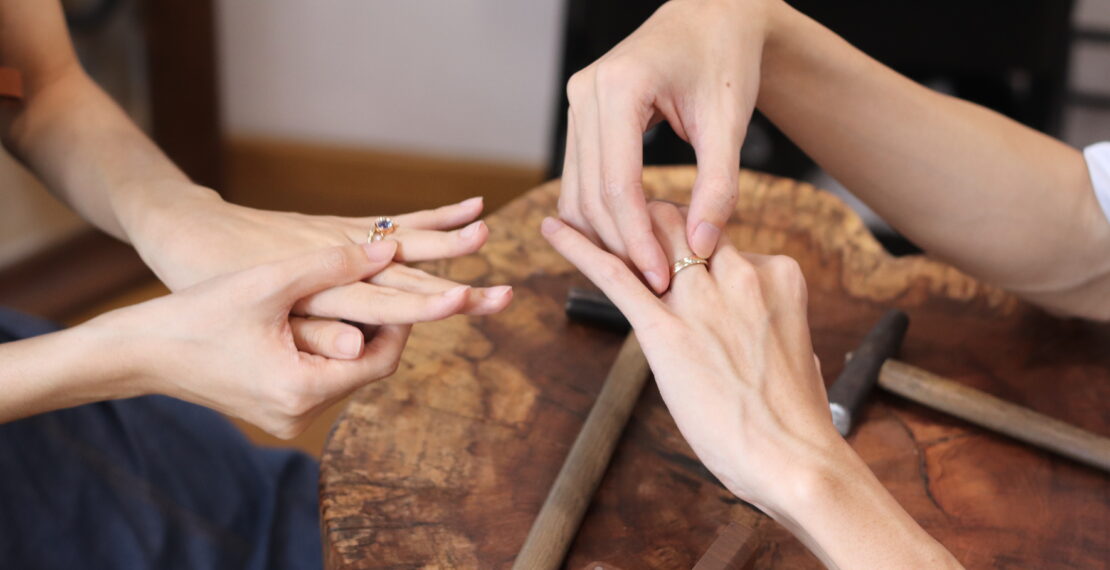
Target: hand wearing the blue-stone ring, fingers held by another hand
[210, 238]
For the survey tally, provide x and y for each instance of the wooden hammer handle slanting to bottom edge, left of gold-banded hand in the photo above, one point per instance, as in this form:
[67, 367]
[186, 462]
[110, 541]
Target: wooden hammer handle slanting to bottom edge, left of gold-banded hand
[570, 497]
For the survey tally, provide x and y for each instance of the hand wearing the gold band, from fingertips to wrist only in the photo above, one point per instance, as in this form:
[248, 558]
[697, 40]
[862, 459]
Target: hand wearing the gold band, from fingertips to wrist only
[731, 351]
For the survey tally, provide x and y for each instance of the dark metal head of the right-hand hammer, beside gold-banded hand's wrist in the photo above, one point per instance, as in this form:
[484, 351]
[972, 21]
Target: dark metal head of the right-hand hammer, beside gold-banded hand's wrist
[862, 372]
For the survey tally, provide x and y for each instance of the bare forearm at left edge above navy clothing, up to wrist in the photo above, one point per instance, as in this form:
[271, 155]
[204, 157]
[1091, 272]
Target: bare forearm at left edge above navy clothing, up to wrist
[64, 370]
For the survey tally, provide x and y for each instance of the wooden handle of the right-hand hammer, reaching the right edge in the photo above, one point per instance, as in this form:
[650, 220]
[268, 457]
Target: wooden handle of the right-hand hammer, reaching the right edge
[986, 411]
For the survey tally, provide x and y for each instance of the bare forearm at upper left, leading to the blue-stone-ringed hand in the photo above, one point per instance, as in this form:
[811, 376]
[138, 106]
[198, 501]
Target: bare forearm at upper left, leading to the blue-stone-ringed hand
[76, 139]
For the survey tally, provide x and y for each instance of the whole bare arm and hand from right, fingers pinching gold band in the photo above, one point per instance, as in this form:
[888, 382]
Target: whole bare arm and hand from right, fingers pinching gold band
[1004, 203]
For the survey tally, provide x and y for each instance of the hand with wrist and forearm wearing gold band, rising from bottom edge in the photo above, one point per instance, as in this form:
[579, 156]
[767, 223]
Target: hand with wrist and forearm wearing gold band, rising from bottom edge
[731, 351]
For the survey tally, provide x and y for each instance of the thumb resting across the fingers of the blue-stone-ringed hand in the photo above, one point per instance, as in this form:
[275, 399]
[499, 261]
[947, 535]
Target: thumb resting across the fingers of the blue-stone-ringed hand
[296, 279]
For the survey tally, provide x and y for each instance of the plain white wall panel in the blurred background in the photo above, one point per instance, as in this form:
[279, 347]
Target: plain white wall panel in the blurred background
[457, 78]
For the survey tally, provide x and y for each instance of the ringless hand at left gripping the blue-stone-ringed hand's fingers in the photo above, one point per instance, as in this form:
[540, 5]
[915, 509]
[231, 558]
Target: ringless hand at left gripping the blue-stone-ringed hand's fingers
[228, 343]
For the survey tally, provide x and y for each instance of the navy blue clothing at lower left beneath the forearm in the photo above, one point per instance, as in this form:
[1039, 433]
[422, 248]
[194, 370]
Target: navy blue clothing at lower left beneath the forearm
[149, 483]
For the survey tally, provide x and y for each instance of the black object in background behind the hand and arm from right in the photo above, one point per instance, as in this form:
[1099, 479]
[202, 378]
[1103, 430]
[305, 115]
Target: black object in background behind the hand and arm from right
[1011, 57]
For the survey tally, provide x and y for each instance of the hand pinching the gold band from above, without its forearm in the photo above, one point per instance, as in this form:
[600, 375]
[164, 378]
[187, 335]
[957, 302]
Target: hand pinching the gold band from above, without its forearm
[694, 64]
